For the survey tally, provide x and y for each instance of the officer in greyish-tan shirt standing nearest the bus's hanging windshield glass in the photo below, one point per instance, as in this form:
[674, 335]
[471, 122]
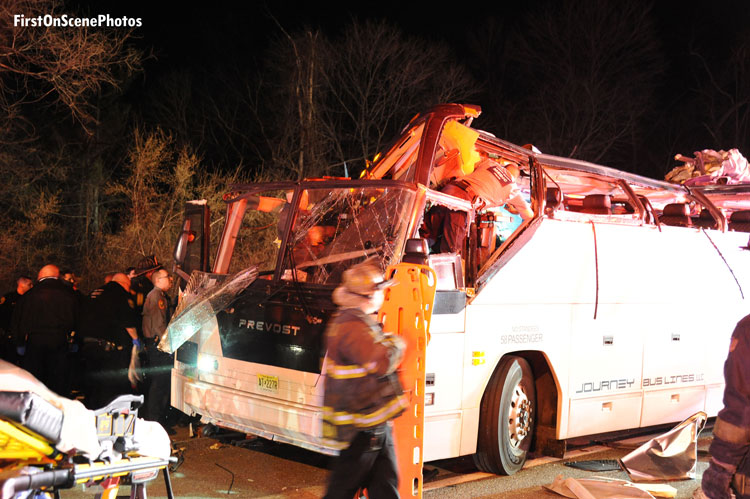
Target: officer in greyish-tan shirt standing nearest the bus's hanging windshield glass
[156, 315]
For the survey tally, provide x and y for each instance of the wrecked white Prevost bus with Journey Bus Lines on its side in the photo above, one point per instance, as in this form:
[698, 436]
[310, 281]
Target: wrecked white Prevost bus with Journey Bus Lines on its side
[610, 309]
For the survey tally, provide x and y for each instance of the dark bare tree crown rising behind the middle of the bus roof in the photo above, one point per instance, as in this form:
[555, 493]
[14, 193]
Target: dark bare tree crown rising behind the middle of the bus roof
[592, 68]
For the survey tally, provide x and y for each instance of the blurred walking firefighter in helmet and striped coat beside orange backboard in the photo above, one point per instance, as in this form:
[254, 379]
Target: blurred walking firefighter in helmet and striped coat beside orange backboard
[362, 390]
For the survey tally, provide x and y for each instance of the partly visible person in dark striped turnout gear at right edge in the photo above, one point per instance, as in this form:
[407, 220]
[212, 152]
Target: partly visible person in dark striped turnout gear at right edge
[729, 470]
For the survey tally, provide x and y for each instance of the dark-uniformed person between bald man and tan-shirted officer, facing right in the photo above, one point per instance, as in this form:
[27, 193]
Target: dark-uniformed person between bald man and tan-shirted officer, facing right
[108, 327]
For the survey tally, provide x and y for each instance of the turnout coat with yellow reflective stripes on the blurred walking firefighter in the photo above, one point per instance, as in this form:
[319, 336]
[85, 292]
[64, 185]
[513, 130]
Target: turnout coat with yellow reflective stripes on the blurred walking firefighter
[361, 388]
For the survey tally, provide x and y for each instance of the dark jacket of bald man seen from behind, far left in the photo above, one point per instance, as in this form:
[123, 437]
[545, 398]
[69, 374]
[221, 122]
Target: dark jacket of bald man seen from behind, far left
[45, 315]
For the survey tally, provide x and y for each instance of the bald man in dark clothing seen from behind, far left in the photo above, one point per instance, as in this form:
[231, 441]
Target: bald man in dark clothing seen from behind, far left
[42, 323]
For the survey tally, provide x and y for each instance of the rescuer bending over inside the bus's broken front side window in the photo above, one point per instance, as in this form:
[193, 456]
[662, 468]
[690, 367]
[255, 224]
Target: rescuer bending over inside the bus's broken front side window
[489, 185]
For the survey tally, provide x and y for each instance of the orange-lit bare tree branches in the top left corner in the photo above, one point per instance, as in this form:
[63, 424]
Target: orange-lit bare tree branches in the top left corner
[56, 66]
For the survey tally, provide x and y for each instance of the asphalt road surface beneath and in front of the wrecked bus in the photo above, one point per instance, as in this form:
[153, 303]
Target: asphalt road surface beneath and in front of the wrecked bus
[232, 466]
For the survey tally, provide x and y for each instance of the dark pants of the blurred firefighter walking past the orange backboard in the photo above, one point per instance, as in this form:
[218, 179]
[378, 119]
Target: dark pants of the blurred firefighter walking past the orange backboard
[368, 463]
